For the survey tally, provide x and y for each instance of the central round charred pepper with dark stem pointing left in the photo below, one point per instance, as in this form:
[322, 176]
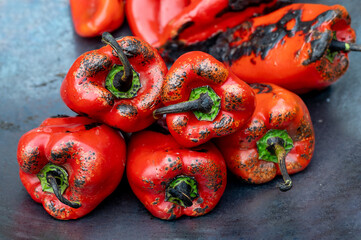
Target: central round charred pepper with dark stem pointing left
[204, 100]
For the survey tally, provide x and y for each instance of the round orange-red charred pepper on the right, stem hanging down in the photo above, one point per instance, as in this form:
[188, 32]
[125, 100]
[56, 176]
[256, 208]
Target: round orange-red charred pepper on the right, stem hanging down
[279, 138]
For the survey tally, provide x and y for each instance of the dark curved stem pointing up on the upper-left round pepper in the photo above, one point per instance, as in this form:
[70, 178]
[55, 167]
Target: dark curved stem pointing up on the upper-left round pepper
[123, 80]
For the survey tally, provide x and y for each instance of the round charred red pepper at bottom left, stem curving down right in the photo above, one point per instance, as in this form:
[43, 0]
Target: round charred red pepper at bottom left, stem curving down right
[87, 159]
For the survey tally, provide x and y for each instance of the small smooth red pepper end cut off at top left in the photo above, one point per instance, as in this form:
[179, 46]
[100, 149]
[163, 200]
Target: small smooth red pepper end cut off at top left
[93, 17]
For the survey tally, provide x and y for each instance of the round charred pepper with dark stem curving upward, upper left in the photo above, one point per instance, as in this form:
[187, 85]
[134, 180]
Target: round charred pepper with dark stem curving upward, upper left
[120, 89]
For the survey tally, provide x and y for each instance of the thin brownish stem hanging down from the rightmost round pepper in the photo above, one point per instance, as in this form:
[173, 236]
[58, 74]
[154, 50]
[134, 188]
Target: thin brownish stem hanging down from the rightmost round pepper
[276, 146]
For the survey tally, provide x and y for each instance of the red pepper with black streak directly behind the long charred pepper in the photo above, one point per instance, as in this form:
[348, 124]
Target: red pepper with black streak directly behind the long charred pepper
[201, 20]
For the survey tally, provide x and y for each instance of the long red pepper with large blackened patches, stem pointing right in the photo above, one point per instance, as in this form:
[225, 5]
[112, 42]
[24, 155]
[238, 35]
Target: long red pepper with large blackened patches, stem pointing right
[296, 47]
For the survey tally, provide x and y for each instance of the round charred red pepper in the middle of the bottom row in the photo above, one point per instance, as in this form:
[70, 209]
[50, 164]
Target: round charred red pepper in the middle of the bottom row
[157, 164]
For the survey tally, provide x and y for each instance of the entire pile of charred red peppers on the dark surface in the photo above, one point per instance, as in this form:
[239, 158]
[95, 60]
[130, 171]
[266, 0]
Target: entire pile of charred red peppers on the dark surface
[227, 103]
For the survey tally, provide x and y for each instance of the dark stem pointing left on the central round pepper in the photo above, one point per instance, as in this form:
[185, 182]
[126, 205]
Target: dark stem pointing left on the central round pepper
[203, 104]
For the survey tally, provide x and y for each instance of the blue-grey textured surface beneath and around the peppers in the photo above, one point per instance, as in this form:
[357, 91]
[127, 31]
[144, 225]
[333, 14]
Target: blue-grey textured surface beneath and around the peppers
[38, 46]
